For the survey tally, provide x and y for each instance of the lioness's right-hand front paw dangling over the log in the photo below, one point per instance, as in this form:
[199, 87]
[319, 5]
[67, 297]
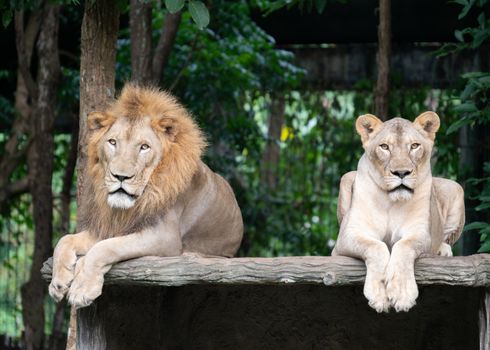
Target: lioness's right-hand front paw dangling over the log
[401, 289]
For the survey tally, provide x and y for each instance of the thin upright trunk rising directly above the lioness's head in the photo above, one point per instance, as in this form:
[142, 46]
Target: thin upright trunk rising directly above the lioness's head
[383, 58]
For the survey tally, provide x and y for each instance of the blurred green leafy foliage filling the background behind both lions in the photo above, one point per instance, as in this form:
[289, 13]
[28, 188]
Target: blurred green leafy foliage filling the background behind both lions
[229, 73]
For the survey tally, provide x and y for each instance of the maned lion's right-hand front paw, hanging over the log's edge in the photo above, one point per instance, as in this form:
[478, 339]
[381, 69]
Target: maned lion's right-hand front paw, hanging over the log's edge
[86, 286]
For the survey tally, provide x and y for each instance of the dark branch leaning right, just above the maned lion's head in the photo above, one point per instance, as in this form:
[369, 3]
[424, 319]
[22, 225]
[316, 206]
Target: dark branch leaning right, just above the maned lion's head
[164, 47]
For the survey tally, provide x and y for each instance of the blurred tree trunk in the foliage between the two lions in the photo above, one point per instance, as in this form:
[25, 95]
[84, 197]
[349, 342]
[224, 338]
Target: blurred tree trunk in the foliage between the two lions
[270, 159]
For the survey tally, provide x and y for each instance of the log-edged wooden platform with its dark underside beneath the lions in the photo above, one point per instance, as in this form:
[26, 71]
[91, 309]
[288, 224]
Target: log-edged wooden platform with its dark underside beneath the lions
[269, 303]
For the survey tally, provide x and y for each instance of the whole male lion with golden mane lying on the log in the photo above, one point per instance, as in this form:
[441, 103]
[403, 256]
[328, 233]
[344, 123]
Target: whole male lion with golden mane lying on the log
[147, 193]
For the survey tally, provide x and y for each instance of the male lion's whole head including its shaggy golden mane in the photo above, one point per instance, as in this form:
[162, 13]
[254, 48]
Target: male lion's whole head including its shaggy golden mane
[142, 151]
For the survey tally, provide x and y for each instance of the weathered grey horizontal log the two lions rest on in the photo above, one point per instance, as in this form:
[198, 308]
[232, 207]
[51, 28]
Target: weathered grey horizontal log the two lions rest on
[469, 271]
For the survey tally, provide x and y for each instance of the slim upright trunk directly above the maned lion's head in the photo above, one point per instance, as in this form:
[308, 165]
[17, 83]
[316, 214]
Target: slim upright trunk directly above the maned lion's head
[141, 30]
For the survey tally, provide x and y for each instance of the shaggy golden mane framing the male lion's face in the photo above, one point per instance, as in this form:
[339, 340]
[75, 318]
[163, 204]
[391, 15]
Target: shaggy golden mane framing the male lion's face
[182, 142]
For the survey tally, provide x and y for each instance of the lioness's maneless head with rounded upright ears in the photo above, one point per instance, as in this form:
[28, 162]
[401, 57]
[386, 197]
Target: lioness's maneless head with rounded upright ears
[399, 151]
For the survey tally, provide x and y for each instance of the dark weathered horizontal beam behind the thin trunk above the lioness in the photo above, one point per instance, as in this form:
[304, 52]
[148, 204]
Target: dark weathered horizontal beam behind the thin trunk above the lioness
[412, 65]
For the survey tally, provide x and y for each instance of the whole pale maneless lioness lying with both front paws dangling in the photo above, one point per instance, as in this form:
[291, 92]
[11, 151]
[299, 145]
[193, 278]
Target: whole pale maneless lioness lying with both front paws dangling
[392, 210]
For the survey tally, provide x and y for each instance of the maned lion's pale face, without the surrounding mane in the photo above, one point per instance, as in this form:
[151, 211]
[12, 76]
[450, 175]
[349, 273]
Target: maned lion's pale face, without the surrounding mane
[131, 151]
